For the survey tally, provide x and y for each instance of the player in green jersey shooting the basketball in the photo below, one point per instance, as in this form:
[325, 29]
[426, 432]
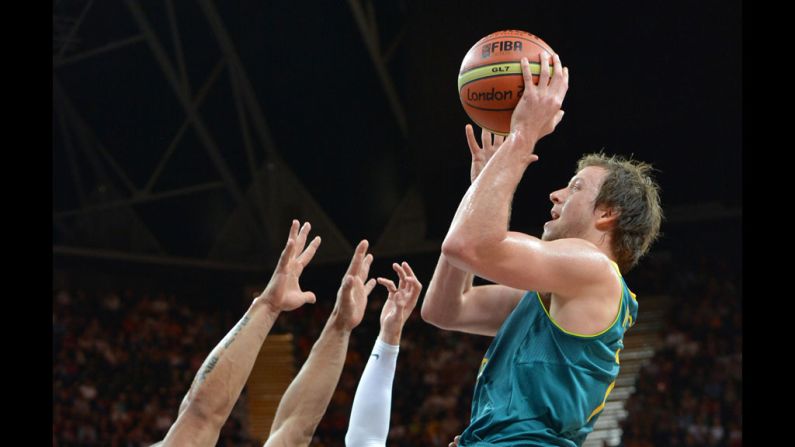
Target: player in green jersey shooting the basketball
[559, 307]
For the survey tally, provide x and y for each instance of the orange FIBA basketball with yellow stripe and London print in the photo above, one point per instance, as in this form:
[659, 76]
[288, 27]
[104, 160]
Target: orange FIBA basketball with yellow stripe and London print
[490, 81]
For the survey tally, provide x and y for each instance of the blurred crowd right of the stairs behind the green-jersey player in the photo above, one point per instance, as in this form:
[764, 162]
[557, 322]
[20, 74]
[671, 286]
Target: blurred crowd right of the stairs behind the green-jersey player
[690, 394]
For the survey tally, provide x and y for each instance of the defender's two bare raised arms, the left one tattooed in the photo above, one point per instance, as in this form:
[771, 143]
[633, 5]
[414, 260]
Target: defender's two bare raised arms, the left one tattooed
[220, 379]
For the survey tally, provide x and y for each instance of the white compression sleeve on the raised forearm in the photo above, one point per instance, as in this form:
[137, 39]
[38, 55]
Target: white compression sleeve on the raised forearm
[369, 424]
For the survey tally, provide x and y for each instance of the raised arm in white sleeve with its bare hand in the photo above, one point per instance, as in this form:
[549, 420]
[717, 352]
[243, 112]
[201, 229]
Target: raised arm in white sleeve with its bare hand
[369, 423]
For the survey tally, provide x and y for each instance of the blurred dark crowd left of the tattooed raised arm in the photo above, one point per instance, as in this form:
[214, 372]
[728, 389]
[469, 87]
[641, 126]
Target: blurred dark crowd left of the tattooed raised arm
[122, 363]
